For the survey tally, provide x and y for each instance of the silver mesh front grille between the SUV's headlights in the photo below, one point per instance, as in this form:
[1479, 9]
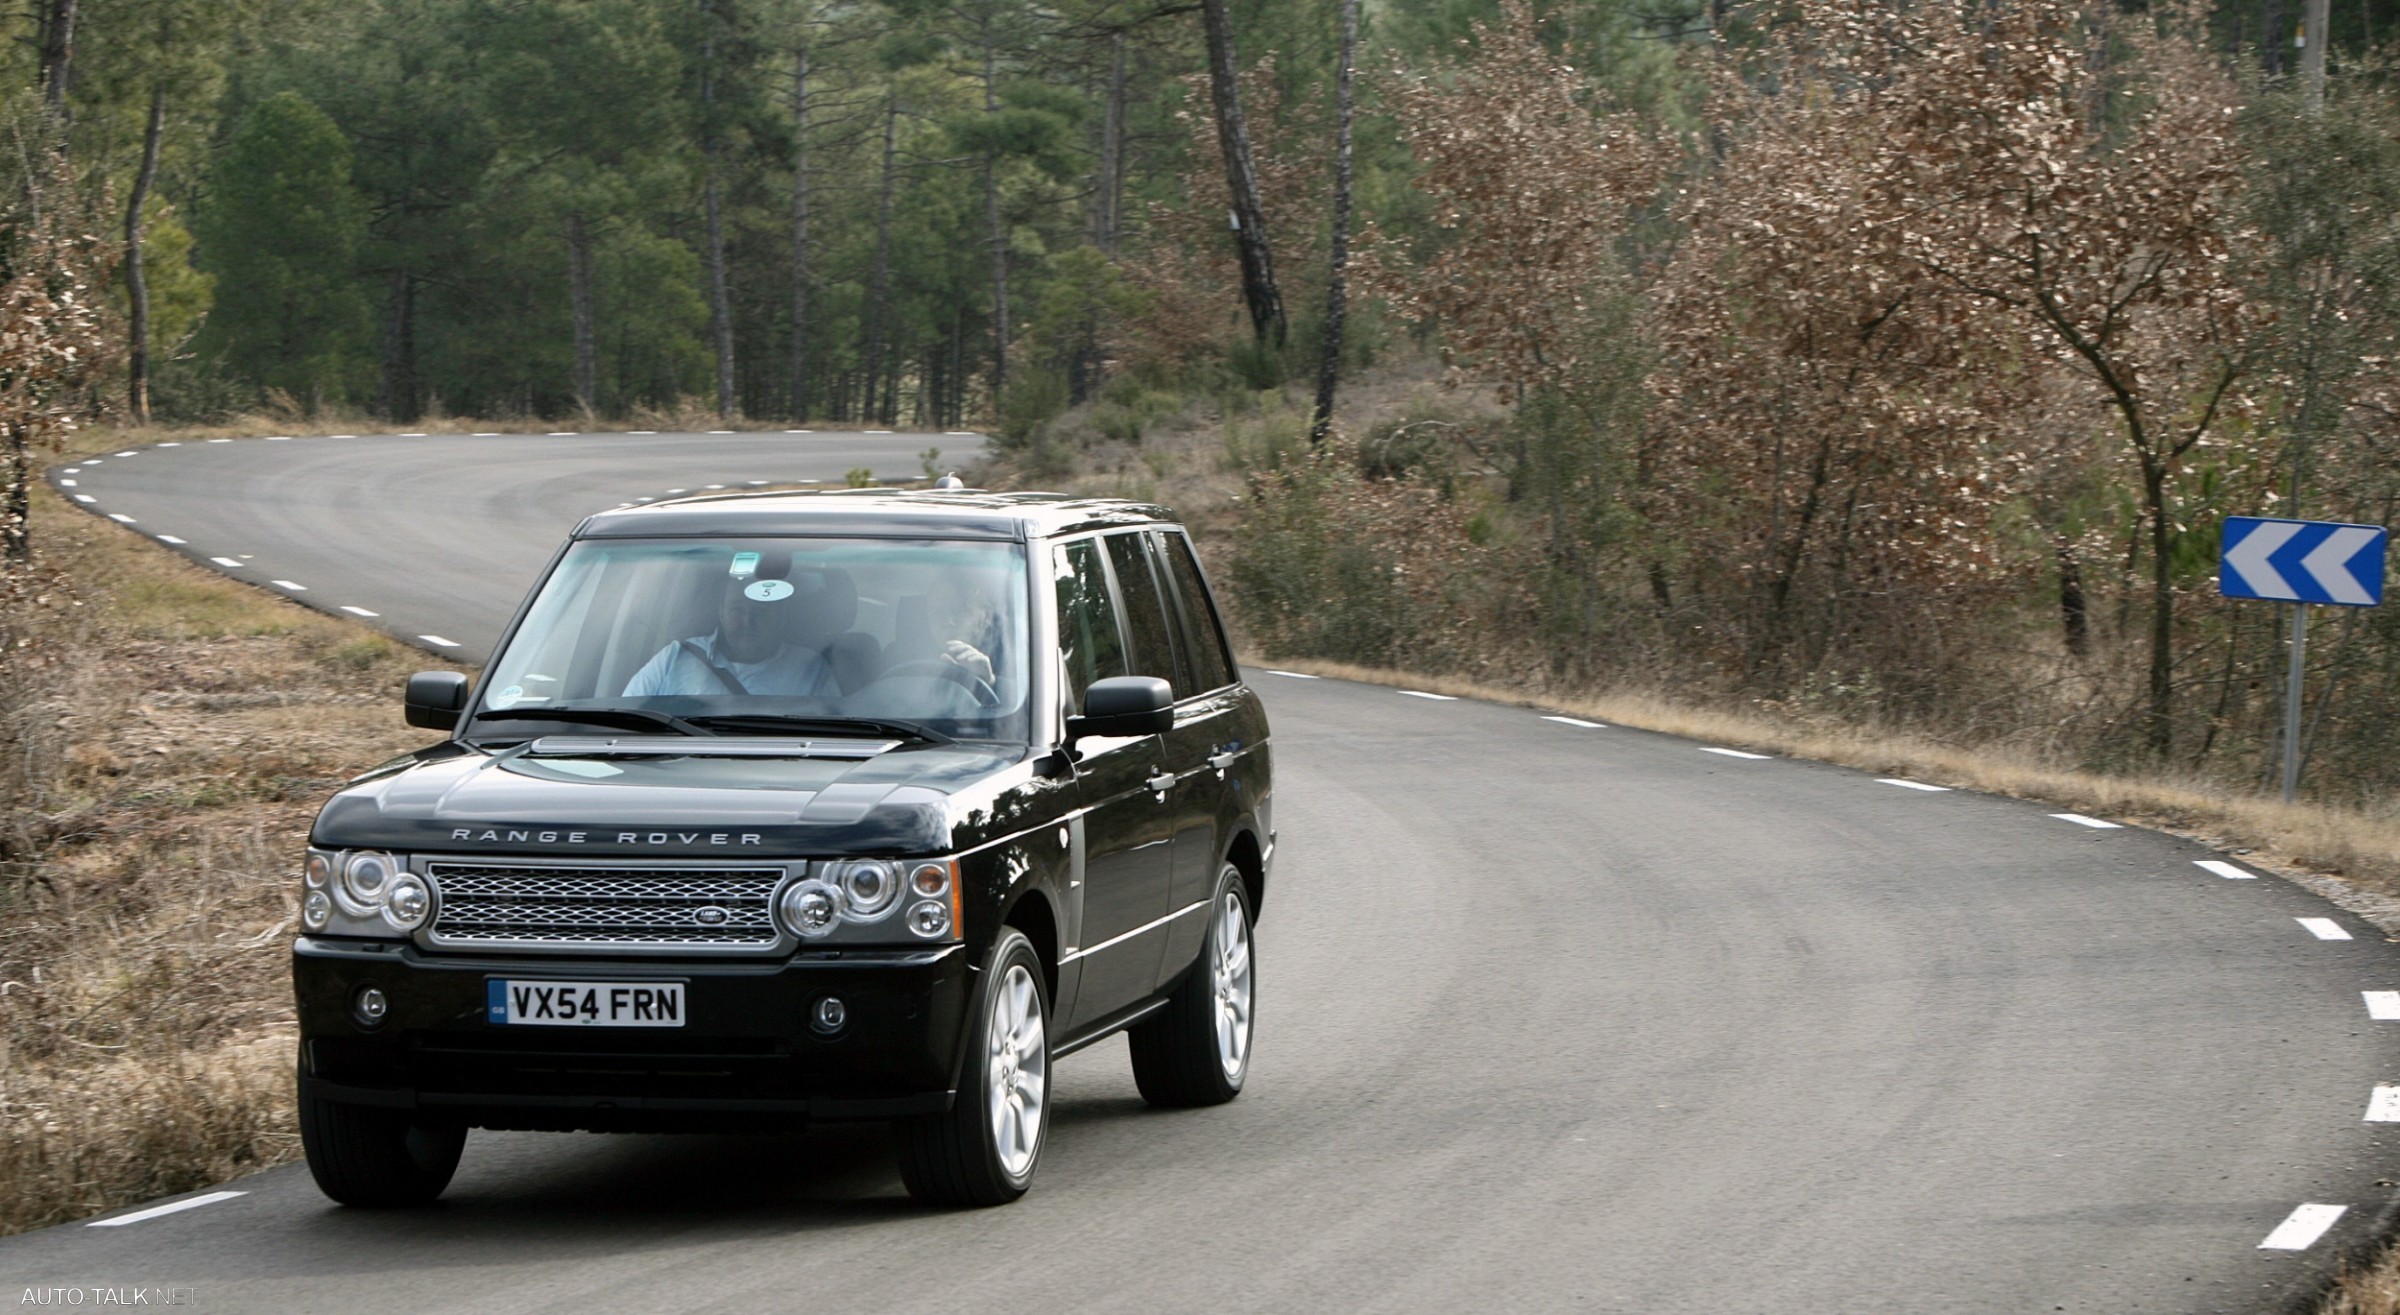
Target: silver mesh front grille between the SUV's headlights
[601, 908]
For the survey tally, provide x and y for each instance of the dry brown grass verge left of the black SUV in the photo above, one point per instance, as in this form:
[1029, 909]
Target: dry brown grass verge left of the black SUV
[145, 987]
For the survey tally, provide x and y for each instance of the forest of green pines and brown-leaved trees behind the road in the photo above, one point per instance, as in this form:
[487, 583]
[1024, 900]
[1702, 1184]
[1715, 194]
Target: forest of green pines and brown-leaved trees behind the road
[1878, 364]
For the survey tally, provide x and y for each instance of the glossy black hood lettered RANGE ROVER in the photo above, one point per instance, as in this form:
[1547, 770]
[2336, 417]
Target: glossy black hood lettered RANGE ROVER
[685, 805]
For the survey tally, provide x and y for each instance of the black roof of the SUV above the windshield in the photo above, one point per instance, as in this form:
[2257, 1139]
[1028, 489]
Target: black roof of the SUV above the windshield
[959, 515]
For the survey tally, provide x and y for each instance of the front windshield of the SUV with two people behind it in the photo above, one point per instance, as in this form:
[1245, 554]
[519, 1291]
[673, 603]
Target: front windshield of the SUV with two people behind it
[772, 637]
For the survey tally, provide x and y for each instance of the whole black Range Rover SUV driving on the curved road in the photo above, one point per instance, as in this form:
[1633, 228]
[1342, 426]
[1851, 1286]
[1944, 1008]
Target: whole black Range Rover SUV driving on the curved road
[798, 807]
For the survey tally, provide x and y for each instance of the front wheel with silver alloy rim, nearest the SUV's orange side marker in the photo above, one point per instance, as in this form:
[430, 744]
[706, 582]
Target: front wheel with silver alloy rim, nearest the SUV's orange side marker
[985, 1148]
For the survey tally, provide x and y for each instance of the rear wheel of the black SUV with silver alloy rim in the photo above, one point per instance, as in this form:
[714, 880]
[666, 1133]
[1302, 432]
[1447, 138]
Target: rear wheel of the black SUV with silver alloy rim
[1196, 1052]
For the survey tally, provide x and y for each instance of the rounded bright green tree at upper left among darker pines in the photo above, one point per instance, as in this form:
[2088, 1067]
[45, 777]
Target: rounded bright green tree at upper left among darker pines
[282, 232]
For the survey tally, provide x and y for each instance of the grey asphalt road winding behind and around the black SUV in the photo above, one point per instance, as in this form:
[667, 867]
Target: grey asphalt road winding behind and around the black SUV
[1554, 1019]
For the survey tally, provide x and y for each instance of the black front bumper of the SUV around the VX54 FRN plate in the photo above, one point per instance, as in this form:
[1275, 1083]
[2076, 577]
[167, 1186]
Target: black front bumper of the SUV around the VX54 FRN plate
[743, 1059]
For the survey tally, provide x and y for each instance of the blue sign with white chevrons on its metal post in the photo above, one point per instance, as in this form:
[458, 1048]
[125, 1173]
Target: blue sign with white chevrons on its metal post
[2300, 563]
